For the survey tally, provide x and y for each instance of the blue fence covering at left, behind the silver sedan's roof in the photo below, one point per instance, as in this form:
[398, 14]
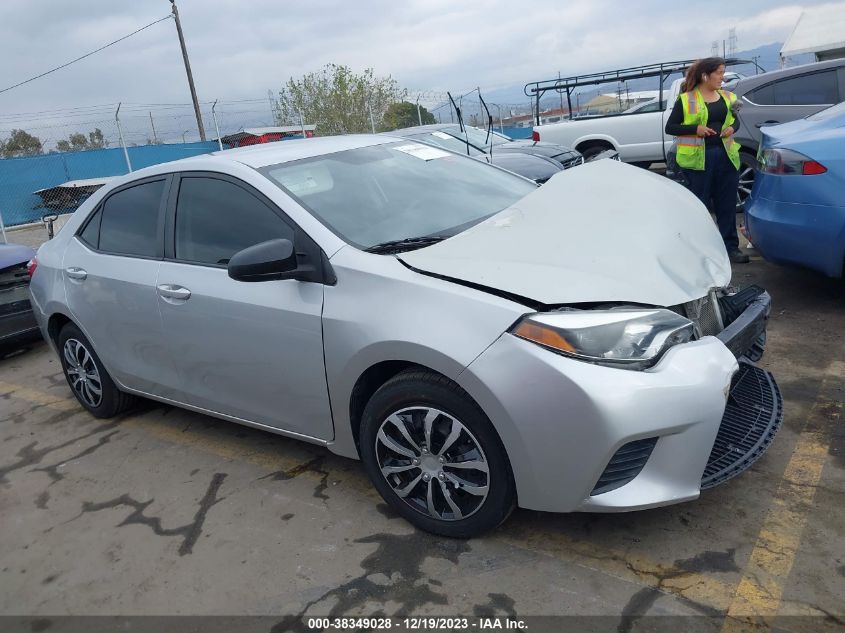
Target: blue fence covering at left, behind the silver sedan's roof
[20, 177]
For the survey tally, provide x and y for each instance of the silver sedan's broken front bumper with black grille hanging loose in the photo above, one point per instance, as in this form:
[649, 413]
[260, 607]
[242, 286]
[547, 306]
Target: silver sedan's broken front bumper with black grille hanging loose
[584, 437]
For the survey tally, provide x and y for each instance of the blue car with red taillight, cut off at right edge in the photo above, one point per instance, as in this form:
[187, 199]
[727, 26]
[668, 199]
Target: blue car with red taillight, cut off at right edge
[796, 211]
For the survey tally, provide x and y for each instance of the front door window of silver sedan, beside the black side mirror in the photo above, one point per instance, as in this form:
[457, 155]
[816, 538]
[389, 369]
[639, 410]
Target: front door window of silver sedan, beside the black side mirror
[217, 218]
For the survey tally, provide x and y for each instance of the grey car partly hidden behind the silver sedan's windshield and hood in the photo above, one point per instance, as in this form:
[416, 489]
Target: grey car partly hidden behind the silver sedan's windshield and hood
[536, 168]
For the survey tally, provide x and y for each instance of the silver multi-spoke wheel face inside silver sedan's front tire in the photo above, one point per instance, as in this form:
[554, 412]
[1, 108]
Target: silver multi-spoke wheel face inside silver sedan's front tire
[433, 463]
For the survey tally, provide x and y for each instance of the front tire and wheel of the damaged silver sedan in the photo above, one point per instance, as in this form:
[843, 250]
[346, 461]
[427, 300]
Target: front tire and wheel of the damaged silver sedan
[434, 457]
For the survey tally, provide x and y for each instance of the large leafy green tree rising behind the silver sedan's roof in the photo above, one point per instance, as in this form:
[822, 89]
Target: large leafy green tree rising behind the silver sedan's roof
[337, 100]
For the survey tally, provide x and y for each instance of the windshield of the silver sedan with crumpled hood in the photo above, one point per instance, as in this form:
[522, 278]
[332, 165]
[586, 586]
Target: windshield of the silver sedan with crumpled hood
[377, 194]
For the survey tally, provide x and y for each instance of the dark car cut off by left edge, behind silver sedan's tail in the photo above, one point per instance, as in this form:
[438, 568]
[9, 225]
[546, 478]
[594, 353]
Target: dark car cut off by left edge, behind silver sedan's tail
[17, 323]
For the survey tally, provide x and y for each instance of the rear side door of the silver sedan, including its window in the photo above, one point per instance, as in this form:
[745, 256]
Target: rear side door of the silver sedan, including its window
[110, 269]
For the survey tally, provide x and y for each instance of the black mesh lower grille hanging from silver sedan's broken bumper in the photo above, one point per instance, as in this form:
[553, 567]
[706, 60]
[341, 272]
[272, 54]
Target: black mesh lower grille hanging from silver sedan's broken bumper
[753, 415]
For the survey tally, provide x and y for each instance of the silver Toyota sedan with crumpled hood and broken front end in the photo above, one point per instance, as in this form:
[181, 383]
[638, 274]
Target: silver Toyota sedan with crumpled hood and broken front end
[478, 342]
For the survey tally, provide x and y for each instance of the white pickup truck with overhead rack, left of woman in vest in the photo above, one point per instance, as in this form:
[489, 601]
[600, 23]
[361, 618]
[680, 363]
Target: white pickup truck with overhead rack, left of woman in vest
[637, 134]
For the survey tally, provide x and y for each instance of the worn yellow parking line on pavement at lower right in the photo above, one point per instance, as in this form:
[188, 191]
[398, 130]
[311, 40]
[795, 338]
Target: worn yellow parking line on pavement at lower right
[759, 593]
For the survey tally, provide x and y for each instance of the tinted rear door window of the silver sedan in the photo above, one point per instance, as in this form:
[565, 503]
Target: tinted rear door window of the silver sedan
[130, 220]
